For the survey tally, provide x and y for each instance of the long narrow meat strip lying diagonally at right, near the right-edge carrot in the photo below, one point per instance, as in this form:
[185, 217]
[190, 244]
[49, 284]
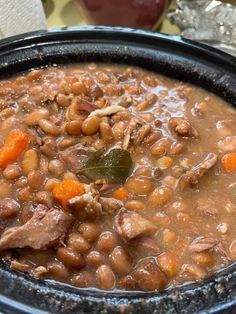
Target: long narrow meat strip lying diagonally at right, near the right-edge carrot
[191, 177]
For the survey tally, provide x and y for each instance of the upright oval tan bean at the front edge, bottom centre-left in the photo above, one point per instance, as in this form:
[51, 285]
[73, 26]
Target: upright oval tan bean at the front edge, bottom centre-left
[106, 277]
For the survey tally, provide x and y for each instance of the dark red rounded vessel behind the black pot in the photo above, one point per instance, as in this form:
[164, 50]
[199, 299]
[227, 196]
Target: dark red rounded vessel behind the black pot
[130, 13]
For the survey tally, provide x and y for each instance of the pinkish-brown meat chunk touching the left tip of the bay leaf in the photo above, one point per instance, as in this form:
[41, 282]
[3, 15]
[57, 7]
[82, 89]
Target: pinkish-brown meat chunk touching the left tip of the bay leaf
[76, 156]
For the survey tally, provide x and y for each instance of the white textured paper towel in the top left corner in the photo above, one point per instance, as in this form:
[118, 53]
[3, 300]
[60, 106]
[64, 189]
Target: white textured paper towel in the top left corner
[18, 17]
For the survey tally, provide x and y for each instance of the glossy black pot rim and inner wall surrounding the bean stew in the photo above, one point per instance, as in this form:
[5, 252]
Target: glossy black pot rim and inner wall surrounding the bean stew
[169, 55]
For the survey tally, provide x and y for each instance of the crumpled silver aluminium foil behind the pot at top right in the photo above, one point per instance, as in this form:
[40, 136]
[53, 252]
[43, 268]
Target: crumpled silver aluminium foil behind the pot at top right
[209, 21]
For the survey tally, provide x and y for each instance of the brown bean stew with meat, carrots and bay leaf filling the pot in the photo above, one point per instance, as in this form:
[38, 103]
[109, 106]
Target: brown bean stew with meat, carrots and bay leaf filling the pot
[115, 178]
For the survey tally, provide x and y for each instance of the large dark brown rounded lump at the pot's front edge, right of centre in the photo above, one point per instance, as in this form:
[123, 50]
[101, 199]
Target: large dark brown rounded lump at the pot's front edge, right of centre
[148, 275]
